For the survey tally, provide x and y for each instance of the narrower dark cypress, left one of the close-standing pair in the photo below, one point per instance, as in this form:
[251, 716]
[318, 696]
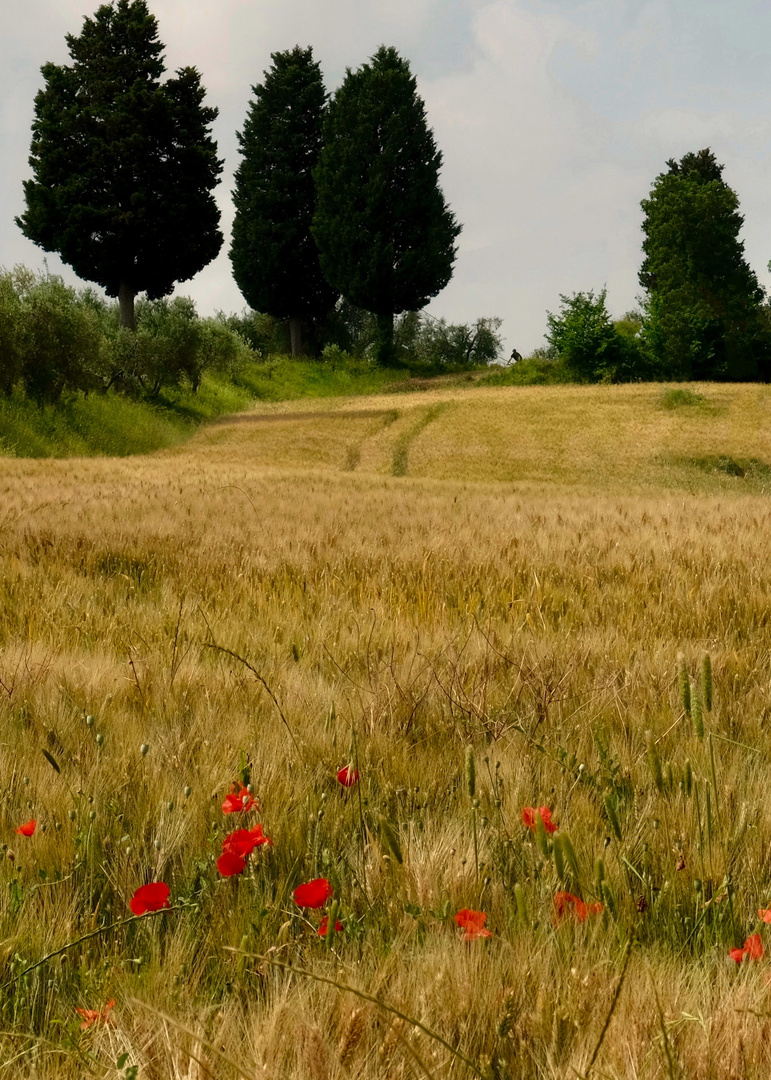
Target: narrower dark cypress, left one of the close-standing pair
[275, 258]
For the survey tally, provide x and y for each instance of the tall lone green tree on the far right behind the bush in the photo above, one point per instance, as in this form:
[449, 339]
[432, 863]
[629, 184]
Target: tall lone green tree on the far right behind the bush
[704, 299]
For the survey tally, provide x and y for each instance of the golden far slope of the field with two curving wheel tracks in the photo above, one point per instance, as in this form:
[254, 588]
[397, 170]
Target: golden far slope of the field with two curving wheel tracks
[711, 438]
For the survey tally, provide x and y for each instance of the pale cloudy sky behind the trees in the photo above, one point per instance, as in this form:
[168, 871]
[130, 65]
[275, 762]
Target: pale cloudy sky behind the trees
[554, 118]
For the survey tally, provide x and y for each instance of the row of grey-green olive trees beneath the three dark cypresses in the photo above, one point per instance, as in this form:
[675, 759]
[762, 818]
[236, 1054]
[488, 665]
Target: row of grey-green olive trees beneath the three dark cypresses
[57, 340]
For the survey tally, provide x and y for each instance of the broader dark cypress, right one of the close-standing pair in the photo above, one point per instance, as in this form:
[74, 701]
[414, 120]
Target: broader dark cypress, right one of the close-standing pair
[385, 233]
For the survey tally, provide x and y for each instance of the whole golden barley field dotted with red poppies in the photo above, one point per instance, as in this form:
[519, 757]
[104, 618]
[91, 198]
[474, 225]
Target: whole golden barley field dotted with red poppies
[474, 599]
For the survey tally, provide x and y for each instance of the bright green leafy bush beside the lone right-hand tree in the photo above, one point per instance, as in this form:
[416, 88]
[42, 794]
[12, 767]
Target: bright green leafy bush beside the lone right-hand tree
[592, 347]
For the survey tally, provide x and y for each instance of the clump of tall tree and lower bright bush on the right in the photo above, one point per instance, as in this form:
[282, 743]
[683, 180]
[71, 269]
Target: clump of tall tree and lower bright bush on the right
[702, 315]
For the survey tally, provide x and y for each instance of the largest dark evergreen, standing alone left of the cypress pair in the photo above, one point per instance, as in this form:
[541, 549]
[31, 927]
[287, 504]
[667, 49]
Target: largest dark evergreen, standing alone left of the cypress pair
[124, 164]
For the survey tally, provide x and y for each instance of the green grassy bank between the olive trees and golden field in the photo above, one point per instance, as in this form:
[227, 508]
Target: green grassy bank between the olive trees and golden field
[114, 425]
